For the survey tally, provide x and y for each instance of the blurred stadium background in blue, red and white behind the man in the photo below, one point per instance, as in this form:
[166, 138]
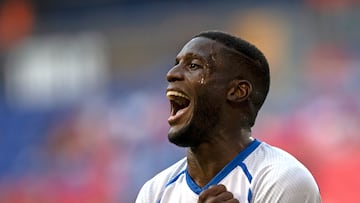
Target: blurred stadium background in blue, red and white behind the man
[82, 106]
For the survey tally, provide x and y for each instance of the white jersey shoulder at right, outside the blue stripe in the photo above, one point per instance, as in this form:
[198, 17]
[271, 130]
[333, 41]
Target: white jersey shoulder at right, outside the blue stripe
[280, 177]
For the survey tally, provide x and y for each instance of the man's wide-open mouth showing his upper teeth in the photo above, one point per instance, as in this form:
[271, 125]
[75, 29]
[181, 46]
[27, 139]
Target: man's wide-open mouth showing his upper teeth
[179, 102]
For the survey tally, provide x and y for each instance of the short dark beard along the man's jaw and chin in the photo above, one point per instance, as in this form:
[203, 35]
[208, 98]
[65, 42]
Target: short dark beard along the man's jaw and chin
[205, 118]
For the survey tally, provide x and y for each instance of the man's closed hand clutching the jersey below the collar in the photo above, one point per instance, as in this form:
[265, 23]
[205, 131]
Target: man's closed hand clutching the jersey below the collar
[216, 194]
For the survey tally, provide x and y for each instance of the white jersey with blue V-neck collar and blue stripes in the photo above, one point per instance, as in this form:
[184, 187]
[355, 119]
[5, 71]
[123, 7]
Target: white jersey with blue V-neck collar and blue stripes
[260, 173]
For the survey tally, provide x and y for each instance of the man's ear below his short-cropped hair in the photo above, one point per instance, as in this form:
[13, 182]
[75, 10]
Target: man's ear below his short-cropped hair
[239, 90]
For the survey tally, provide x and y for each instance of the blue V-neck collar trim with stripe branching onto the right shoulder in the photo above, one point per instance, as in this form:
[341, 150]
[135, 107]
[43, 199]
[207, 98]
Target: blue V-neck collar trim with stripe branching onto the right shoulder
[237, 161]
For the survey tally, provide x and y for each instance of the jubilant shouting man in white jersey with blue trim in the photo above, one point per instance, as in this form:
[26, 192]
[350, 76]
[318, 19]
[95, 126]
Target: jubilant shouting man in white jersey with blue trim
[216, 88]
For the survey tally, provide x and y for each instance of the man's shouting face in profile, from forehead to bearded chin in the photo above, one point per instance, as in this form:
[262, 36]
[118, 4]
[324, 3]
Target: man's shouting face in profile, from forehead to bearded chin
[196, 92]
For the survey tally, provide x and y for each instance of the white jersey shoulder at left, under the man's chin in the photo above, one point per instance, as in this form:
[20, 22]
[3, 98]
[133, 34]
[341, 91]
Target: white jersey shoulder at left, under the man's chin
[154, 187]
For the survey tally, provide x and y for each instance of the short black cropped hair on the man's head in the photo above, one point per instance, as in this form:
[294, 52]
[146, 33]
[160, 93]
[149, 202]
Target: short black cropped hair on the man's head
[260, 70]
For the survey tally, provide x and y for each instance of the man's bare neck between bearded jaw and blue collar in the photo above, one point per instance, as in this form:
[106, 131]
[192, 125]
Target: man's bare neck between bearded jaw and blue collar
[207, 159]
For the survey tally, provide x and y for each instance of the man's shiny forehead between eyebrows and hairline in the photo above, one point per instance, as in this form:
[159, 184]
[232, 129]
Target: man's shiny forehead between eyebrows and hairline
[201, 47]
